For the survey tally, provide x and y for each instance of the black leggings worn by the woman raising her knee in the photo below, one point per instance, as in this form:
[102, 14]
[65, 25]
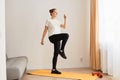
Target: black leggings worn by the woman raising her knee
[59, 41]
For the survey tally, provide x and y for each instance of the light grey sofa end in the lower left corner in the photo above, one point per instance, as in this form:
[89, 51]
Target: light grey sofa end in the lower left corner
[16, 67]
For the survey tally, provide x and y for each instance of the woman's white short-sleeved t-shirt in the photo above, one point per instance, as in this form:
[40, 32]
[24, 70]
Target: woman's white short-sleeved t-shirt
[53, 26]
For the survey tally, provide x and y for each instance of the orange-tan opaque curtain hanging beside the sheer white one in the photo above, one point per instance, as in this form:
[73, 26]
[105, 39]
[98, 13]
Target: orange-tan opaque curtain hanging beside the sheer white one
[94, 45]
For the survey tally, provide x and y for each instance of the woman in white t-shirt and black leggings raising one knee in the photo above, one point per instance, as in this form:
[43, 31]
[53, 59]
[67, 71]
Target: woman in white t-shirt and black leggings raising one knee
[59, 39]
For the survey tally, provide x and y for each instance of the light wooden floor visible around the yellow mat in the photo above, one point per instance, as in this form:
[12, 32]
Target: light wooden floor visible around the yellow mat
[78, 70]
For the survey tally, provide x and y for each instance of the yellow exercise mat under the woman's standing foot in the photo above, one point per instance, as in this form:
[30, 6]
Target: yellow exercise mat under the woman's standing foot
[70, 75]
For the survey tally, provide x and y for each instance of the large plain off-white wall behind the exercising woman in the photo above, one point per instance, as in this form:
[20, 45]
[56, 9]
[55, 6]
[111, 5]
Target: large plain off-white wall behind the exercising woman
[25, 21]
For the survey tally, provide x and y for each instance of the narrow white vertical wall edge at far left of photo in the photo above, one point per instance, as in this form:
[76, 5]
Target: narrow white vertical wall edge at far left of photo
[2, 41]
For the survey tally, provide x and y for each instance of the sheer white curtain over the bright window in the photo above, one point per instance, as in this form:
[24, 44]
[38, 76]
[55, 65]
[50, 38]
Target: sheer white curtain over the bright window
[109, 30]
